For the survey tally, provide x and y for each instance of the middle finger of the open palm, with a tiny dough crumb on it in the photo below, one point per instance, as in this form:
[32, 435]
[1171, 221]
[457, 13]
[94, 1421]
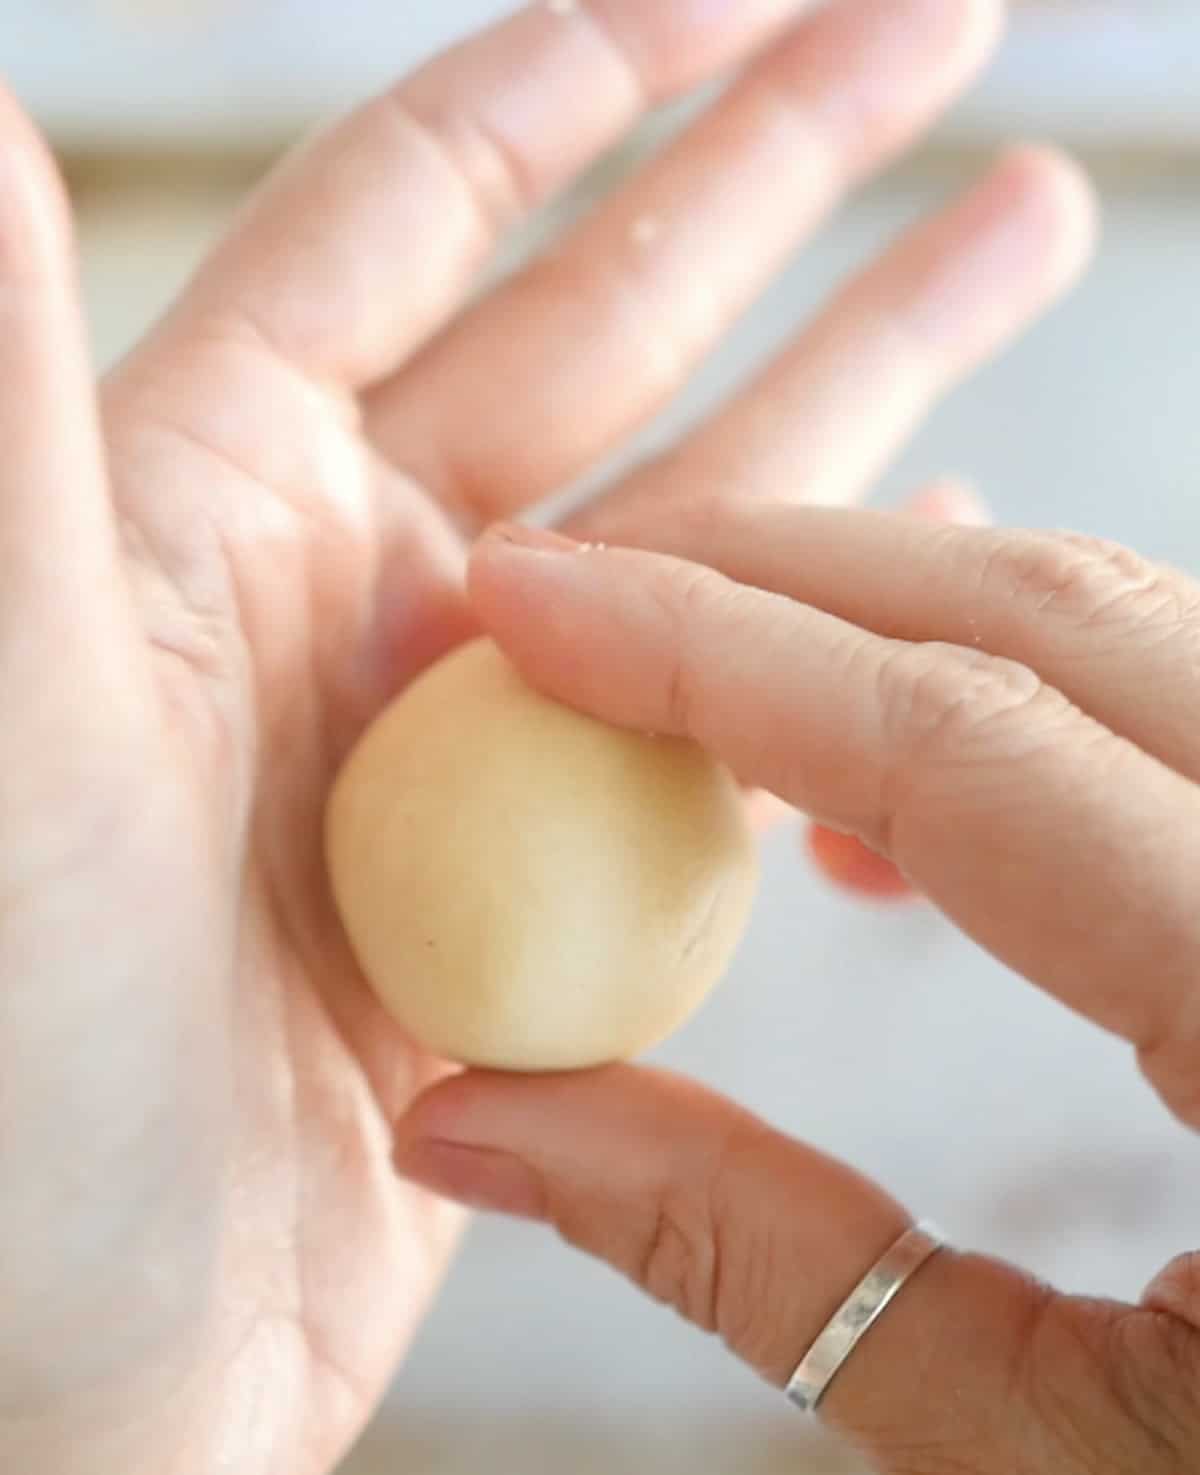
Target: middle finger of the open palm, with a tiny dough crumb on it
[593, 340]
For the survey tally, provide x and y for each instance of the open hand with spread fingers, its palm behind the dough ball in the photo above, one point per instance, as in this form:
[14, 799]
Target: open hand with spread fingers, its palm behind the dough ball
[216, 576]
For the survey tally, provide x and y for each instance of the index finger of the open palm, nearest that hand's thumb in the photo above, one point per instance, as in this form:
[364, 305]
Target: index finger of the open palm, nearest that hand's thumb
[368, 241]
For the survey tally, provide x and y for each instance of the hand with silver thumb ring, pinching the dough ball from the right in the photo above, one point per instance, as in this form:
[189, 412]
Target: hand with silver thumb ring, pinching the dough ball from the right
[1012, 719]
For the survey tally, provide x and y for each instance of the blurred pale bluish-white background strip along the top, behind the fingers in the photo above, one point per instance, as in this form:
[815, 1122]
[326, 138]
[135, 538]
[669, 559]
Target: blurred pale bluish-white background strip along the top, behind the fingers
[244, 74]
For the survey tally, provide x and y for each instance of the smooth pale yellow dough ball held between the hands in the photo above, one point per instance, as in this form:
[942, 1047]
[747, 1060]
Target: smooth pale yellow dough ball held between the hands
[526, 887]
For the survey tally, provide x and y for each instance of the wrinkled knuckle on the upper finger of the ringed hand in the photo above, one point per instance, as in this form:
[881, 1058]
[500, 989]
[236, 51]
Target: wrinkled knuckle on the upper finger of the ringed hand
[1090, 583]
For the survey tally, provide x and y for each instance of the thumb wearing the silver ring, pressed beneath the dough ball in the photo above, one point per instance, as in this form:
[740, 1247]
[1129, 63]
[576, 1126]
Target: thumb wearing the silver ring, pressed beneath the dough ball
[758, 1240]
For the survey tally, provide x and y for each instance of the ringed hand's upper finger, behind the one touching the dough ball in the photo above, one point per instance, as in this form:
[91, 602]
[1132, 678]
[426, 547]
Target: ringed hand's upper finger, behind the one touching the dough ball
[1095, 620]
